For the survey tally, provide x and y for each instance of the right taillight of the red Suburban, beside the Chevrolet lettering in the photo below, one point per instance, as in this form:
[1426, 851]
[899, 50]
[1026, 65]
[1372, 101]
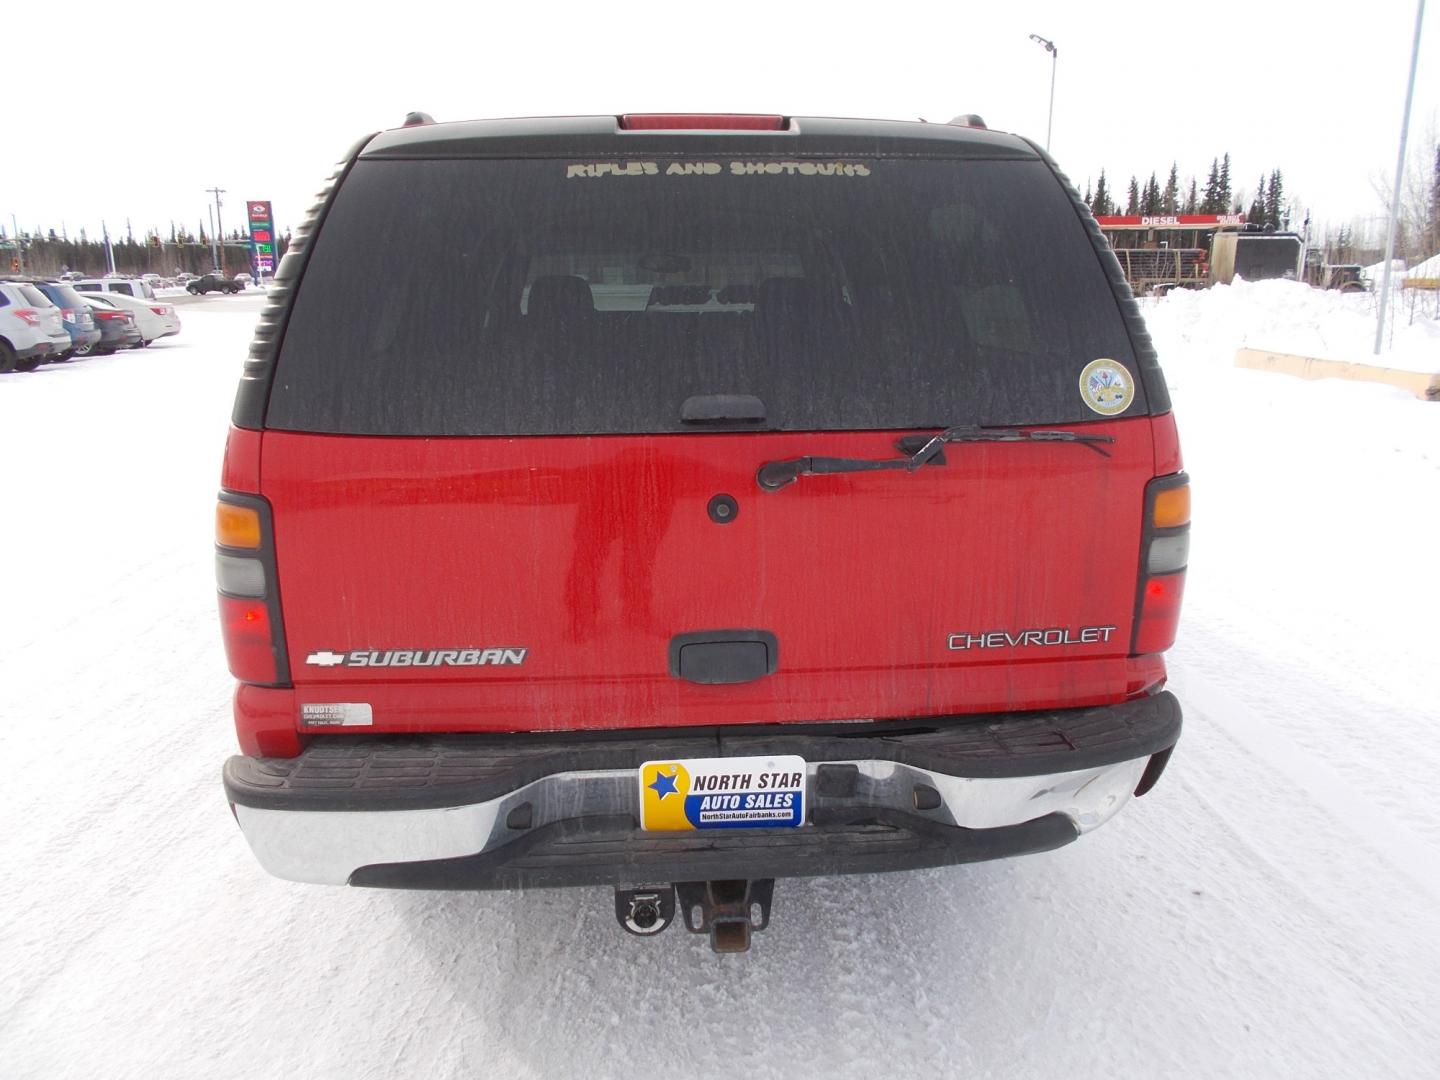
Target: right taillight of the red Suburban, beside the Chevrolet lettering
[1164, 558]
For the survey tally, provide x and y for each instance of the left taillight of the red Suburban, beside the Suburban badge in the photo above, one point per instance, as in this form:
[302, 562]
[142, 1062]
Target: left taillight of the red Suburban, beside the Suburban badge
[246, 580]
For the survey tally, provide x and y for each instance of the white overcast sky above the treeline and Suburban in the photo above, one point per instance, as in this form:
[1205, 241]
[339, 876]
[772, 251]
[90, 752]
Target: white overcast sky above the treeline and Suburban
[1311, 87]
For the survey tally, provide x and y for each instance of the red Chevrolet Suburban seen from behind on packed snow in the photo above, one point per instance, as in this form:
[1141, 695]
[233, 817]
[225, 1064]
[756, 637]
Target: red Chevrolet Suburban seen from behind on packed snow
[875, 575]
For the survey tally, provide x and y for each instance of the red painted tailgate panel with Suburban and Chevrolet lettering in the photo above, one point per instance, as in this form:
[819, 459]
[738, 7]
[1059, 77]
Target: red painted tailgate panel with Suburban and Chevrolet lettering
[593, 554]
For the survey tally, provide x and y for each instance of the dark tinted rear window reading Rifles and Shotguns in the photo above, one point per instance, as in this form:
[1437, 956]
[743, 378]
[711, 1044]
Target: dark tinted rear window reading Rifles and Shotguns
[542, 297]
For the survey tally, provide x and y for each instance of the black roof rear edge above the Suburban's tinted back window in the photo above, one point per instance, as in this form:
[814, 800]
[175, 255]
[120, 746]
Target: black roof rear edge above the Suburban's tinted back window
[806, 136]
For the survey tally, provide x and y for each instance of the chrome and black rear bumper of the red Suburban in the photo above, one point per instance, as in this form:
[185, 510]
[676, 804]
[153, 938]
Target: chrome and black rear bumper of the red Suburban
[495, 814]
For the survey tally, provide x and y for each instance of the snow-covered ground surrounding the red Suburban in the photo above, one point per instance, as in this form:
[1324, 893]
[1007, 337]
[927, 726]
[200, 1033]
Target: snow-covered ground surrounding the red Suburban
[1269, 911]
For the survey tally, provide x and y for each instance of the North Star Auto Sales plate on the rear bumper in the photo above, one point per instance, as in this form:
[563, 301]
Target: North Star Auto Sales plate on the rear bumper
[722, 793]
